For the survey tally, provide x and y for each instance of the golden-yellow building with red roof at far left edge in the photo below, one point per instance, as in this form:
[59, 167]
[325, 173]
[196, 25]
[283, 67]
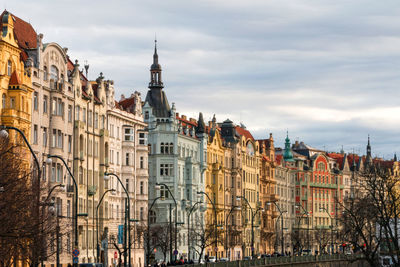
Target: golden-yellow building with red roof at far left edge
[16, 86]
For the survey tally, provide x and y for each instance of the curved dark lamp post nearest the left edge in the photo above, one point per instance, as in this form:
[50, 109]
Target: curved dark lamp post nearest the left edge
[4, 134]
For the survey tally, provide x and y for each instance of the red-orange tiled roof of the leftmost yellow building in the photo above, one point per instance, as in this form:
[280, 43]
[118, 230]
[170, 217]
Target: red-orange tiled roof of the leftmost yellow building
[23, 32]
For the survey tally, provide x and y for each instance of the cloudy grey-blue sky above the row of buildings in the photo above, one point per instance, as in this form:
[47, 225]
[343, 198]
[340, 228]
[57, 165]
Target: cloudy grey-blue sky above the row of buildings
[326, 71]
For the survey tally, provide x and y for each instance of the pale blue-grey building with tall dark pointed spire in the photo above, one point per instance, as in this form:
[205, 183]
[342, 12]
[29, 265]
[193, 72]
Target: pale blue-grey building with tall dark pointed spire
[177, 161]
